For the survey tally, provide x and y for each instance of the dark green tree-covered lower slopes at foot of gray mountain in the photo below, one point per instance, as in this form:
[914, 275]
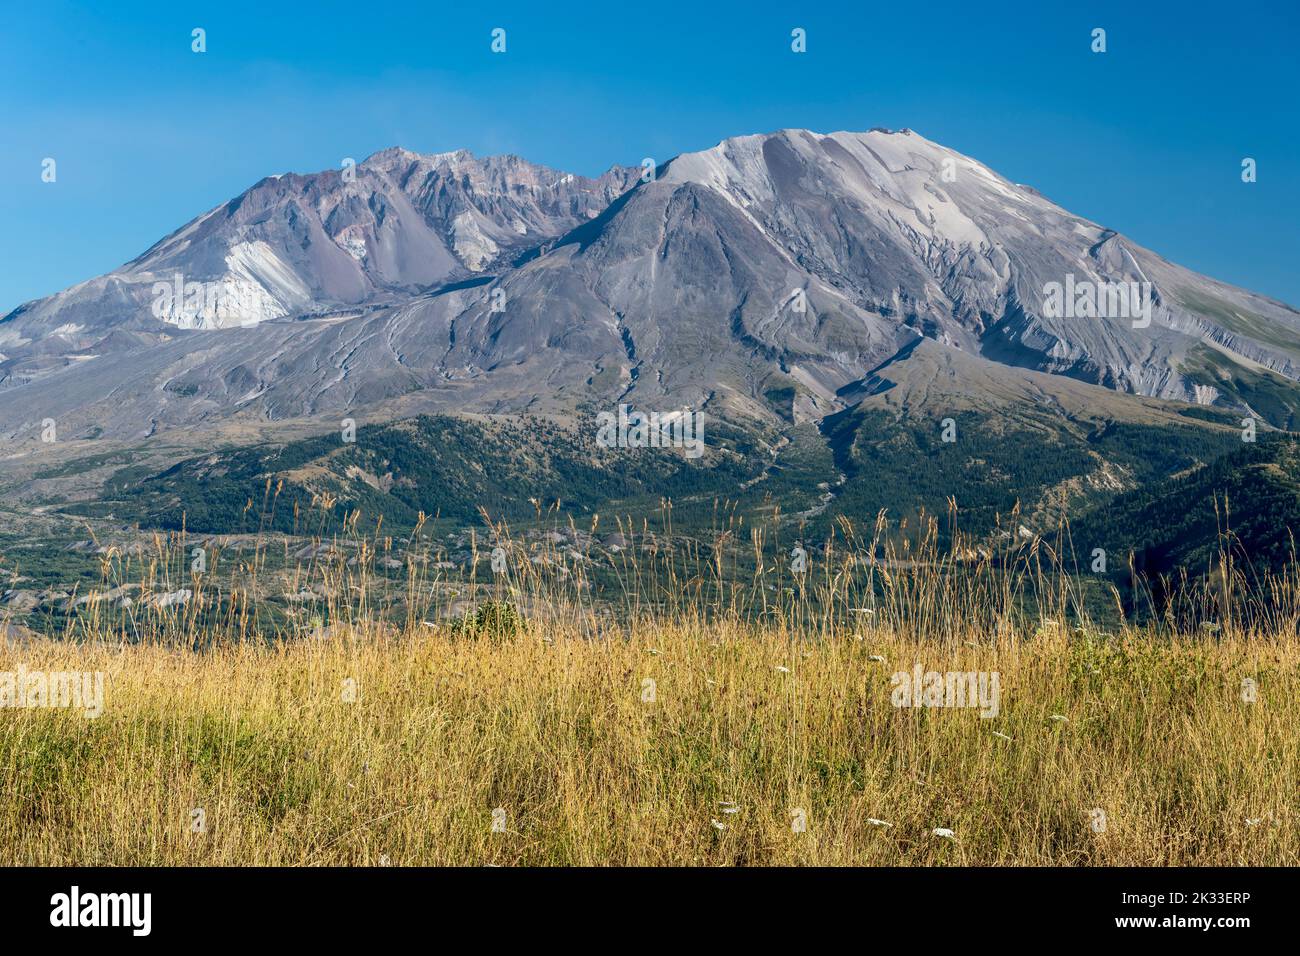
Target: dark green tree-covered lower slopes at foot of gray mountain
[1045, 460]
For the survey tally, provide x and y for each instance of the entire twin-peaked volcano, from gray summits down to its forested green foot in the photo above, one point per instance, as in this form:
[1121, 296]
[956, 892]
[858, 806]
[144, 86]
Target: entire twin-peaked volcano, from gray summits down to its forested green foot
[831, 304]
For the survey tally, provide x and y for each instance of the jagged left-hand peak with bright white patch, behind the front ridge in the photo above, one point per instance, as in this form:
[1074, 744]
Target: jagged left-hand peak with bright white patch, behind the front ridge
[396, 224]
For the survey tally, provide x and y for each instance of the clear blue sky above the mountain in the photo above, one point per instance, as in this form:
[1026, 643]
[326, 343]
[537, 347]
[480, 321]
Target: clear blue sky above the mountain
[1147, 139]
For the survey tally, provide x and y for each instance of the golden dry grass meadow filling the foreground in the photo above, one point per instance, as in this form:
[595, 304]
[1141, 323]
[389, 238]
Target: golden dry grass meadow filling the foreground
[553, 729]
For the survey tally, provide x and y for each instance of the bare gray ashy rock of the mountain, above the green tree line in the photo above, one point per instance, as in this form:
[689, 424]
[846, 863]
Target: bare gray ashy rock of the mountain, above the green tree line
[773, 276]
